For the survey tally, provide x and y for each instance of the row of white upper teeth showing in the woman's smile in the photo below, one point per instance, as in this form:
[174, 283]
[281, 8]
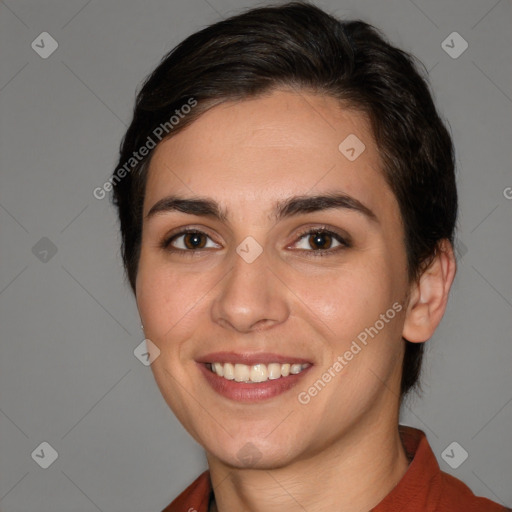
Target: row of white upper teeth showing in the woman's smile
[256, 373]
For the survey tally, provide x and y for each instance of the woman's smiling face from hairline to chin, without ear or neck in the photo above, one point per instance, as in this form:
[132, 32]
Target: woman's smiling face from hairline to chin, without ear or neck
[296, 302]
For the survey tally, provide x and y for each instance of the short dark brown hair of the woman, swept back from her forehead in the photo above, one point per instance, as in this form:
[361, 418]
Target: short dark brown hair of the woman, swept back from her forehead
[300, 46]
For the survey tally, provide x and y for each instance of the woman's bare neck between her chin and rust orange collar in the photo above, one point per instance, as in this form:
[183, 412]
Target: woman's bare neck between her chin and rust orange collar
[353, 474]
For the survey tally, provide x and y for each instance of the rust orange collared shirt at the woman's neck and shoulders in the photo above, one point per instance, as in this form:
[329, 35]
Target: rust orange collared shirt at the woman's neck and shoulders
[423, 488]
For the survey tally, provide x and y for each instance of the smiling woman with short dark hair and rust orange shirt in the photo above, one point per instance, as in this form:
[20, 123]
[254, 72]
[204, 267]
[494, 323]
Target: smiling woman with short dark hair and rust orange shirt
[287, 202]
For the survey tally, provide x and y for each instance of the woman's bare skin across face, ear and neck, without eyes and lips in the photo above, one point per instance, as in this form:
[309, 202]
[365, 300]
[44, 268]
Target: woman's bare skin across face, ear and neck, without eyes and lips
[248, 155]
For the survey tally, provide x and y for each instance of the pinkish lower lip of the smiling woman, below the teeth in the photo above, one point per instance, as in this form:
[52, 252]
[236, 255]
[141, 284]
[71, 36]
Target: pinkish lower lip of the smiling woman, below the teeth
[251, 392]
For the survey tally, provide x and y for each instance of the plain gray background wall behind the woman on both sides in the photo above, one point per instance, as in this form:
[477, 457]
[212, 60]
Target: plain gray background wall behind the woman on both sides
[69, 325]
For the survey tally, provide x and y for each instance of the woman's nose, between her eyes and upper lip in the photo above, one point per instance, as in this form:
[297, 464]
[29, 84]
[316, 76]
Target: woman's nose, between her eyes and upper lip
[251, 297]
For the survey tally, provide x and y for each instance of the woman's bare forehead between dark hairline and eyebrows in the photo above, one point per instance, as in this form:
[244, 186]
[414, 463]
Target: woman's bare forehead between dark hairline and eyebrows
[258, 151]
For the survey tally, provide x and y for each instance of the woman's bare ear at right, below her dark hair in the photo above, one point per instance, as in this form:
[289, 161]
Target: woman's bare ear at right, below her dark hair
[429, 295]
